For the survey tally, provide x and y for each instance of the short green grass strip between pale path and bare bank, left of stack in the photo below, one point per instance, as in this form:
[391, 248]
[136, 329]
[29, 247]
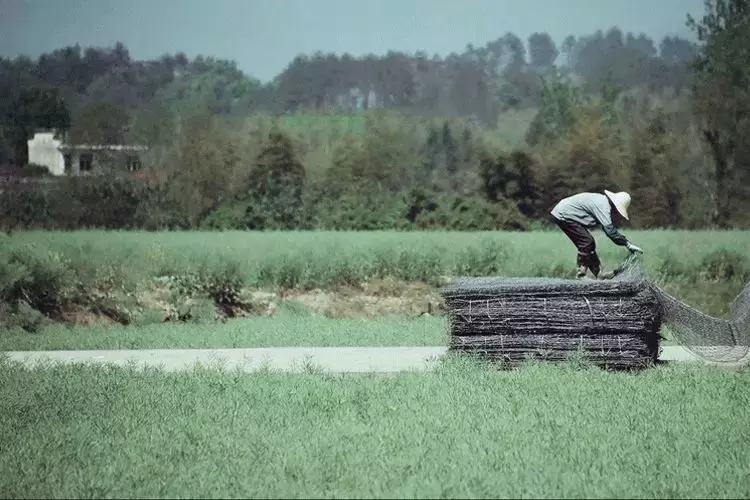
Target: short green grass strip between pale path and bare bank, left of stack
[286, 329]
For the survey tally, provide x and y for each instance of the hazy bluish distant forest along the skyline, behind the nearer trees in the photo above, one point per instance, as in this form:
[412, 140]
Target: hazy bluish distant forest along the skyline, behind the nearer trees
[104, 92]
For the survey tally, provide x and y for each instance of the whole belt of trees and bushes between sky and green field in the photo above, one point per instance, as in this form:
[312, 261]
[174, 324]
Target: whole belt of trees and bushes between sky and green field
[421, 143]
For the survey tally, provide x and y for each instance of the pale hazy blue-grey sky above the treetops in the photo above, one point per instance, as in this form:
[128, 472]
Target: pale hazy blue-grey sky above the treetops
[263, 36]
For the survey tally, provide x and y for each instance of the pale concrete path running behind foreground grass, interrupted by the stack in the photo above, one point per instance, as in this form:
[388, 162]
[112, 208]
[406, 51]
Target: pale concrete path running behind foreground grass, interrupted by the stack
[330, 359]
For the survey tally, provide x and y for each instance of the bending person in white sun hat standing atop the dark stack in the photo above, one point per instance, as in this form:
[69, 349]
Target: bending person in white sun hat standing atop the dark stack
[577, 214]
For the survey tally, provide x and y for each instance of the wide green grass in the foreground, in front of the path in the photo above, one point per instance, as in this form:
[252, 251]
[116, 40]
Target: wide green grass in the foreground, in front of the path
[461, 431]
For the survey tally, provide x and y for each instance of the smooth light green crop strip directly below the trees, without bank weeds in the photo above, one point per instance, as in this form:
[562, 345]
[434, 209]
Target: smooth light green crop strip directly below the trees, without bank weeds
[321, 258]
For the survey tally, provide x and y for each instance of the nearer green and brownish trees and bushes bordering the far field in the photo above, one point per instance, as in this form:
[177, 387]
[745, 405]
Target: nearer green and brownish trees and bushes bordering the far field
[253, 174]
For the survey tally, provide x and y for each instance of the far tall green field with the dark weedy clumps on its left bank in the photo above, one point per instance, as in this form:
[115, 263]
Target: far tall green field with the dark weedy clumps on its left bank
[707, 269]
